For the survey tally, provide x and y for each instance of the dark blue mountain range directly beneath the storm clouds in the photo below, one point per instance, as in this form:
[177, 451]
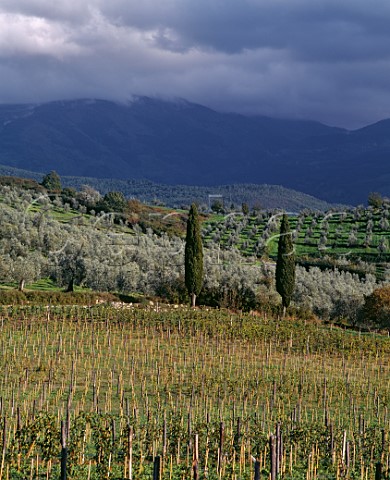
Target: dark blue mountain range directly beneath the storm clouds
[183, 143]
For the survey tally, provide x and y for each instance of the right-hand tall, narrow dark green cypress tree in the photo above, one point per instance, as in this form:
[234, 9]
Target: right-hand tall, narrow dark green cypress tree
[285, 264]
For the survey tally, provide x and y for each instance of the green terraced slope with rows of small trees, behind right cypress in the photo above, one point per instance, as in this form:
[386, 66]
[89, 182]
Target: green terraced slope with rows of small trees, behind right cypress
[347, 236]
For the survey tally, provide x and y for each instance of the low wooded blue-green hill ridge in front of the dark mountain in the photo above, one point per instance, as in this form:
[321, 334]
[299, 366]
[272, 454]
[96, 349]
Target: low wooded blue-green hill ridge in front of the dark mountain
[265, 196]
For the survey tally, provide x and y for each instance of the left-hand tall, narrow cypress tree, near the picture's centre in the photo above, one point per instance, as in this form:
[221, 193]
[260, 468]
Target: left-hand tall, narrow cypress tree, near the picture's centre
[193, 255]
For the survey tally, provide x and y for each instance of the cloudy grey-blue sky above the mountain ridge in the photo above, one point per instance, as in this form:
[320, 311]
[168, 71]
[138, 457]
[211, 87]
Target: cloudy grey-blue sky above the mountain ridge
[327, 60]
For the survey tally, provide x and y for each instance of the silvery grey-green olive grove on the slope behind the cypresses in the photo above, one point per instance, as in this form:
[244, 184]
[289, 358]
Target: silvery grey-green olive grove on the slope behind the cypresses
[95, 250]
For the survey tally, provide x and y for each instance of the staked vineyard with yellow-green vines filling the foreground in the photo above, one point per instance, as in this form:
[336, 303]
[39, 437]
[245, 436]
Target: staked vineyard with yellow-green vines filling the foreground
[173, 393]
